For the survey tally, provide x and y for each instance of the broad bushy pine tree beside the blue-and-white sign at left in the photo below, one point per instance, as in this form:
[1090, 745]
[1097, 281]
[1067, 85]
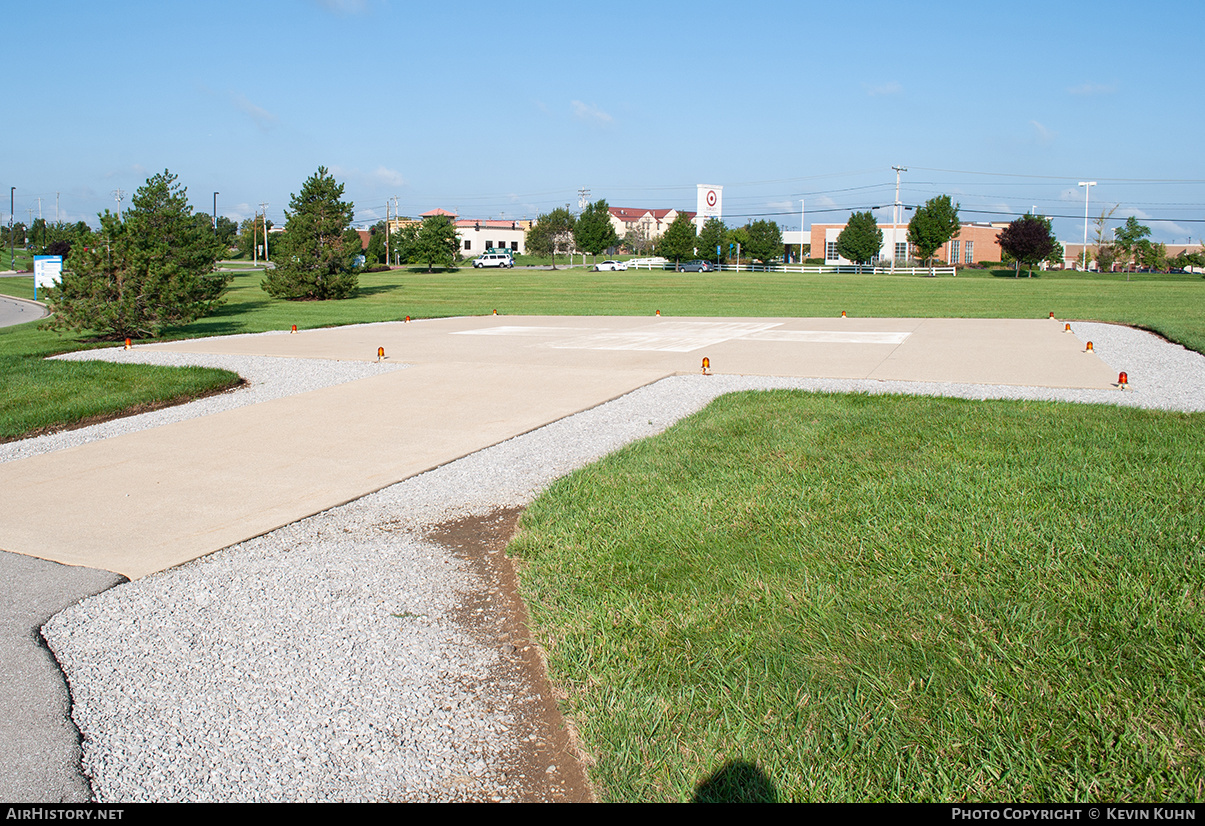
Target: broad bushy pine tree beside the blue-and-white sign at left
[149, 271]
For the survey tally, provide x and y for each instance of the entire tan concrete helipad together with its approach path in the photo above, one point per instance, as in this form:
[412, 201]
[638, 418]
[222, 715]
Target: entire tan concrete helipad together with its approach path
[144, 502]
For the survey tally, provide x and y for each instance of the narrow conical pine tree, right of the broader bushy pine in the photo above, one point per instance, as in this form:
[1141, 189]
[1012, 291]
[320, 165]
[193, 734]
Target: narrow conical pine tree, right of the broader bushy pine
[318, 254]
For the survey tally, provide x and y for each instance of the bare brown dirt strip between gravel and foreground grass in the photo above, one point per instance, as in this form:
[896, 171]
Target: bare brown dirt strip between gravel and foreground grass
[546, 765]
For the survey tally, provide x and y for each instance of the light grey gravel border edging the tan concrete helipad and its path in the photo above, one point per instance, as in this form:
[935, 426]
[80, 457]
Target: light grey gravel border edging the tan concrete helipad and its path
[325, 663]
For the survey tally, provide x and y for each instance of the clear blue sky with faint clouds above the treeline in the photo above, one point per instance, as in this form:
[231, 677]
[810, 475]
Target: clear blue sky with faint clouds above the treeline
[508, 109]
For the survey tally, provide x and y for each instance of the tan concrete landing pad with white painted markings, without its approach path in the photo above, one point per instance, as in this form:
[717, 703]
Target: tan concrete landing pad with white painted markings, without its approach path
[975, 352]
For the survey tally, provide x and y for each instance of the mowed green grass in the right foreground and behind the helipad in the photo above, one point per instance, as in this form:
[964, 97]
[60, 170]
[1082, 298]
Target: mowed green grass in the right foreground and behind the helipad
[800, 596]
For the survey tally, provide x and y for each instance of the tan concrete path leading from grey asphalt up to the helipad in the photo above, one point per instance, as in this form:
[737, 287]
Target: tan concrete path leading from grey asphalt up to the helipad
[149, 501]
